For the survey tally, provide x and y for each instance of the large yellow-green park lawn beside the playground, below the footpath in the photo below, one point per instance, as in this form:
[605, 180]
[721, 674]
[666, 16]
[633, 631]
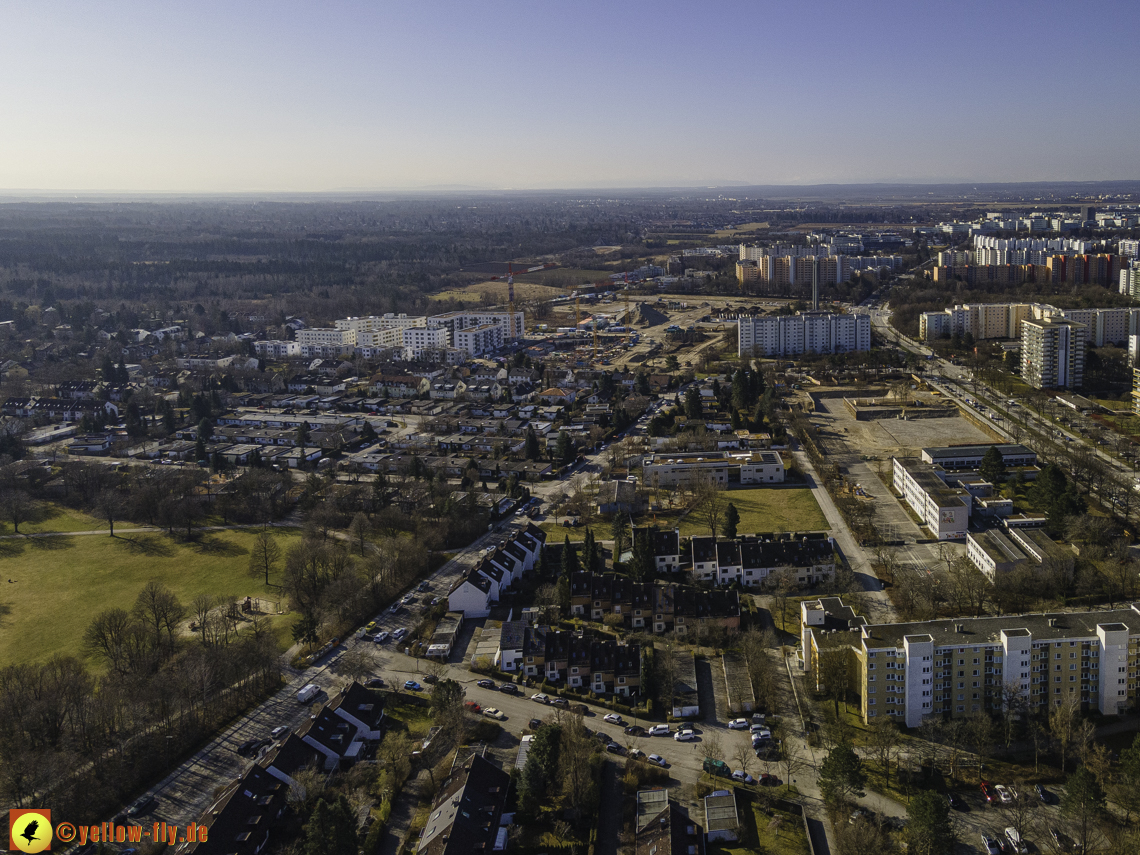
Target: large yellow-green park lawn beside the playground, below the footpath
[59, 584]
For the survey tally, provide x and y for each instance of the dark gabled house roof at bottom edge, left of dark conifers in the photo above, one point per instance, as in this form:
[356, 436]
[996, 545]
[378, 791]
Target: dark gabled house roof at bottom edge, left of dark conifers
[466, 818]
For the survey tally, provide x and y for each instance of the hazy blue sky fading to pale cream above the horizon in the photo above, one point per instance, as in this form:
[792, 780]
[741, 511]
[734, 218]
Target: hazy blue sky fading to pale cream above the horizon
[306, 97]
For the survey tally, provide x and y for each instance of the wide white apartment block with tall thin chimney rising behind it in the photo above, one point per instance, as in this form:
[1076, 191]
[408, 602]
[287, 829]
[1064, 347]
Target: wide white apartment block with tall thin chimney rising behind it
[805, 333]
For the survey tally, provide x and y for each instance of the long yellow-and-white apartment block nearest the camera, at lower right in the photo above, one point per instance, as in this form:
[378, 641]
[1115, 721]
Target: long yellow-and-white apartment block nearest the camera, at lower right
[964, 666]
